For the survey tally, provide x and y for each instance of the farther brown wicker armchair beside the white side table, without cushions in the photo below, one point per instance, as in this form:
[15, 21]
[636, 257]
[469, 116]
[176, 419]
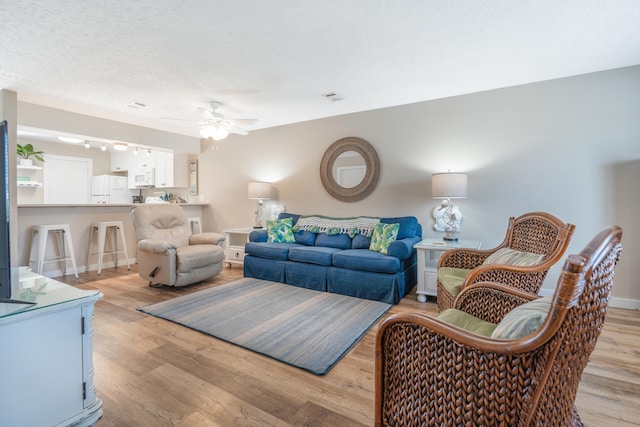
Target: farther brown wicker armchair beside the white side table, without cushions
[536, 232]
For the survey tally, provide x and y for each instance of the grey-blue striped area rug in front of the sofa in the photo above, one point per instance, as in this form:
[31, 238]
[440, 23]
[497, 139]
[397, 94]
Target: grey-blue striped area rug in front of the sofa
[308, 329]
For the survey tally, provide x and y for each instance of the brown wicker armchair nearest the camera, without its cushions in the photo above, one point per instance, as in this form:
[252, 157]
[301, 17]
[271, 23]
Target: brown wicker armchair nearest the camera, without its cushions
[430, 373]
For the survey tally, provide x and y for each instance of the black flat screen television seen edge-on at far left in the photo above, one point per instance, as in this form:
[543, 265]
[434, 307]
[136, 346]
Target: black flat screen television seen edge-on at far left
[5, 221]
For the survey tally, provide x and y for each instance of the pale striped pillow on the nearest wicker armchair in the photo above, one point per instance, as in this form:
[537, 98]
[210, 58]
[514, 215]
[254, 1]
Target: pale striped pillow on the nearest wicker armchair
[523, 320]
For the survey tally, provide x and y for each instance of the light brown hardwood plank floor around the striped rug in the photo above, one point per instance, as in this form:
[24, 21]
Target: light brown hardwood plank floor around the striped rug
[151, 372]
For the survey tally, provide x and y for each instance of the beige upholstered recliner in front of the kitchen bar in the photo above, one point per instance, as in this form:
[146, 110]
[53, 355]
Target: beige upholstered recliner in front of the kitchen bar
[168, 253]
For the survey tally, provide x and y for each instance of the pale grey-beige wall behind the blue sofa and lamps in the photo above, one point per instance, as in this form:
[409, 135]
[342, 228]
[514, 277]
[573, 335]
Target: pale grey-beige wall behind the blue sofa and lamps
[568, 146]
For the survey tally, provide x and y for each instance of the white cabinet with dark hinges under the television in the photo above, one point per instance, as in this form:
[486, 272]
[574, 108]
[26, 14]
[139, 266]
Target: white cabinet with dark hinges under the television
[47, 356]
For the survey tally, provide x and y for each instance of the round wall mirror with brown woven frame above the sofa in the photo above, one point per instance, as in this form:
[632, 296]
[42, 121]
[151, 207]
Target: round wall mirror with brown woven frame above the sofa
[350, 169]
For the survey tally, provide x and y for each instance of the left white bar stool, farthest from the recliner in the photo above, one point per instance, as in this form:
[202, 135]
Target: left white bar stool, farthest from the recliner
[39, 237]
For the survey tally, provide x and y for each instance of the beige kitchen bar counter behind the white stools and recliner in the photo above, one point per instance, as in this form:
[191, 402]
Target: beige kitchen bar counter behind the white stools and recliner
[80, 217]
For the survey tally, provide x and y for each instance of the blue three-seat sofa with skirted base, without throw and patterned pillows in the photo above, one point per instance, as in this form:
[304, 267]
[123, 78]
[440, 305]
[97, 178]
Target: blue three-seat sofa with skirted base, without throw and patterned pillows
[338, 263]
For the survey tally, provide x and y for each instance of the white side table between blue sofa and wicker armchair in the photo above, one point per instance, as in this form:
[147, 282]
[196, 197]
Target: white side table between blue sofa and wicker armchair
[429, 252]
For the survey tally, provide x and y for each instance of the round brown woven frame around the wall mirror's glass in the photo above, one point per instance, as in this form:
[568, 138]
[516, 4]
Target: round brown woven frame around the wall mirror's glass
[371, 176]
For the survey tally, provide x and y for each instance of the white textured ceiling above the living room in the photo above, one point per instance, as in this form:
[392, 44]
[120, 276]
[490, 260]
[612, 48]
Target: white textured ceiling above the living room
[273, 59]
